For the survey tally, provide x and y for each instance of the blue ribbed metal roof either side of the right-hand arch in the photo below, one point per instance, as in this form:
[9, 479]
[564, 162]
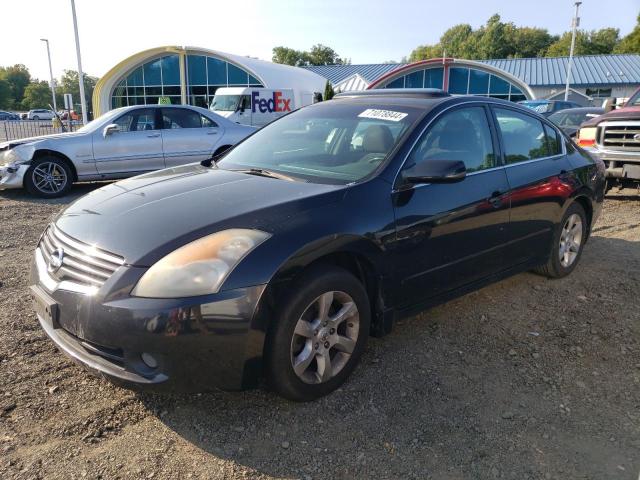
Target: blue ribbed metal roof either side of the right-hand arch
[587, 70]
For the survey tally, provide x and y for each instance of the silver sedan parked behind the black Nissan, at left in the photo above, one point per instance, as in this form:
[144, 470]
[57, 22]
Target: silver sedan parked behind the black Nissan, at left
[121, 143]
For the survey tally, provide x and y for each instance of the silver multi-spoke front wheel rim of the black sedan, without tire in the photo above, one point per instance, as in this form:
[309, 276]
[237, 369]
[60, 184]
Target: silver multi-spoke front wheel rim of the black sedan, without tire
[325, 337]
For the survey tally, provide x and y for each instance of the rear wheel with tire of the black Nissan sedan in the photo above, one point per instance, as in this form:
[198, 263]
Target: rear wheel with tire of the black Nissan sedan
[560, 266]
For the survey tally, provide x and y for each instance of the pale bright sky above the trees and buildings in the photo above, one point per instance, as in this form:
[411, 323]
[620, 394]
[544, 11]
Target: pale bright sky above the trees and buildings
[371, 31]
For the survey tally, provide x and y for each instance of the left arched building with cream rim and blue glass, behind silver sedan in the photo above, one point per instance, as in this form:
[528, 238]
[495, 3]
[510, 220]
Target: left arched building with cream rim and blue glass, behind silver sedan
[189, 75]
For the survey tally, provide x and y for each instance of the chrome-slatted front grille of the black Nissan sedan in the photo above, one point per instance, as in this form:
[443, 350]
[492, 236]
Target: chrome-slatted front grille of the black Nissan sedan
[81, 263]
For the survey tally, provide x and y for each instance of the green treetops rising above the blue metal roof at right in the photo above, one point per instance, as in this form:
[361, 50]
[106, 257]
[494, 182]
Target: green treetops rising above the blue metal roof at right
[497, 39]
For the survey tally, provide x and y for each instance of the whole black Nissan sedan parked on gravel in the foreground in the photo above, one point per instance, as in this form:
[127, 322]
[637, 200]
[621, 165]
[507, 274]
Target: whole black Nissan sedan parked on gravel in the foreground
[279, 259]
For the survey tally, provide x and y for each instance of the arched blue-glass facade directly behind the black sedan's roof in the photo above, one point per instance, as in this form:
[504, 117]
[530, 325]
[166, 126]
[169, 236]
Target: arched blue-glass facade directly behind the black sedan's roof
[458, 77]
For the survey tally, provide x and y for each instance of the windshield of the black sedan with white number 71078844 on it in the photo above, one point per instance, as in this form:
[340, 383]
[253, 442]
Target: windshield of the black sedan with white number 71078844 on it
[333, 142]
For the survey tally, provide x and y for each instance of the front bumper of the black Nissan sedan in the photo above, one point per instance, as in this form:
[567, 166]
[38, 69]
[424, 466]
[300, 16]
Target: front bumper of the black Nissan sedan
[198, 344]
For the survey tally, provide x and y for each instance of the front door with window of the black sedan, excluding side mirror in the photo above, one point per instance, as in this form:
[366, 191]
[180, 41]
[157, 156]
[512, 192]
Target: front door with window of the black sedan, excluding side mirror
[449, 235]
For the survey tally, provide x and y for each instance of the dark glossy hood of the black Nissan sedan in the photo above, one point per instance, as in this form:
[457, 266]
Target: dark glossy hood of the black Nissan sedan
[145, 217]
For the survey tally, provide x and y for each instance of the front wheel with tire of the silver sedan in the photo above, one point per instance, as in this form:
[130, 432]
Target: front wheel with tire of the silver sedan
[56, 185]
